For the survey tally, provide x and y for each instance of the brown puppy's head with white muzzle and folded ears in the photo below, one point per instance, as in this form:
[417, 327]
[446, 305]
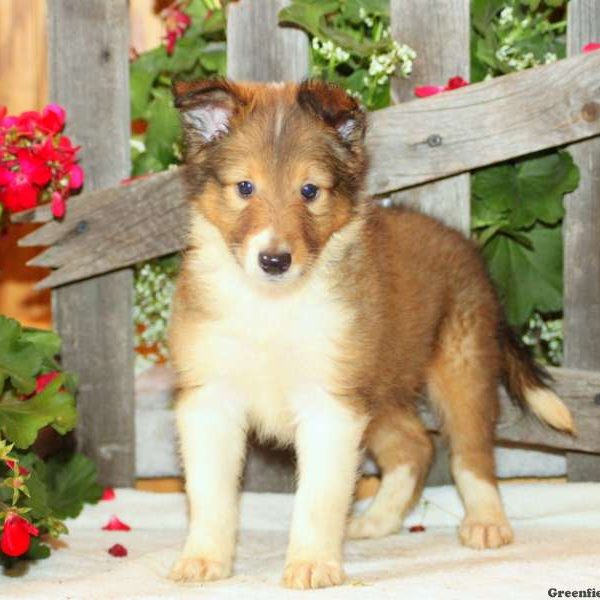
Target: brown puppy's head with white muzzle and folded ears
[277, 168]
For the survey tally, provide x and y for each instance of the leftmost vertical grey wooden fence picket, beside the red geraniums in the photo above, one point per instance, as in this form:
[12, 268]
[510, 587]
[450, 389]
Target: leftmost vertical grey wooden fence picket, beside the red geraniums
[88, 44]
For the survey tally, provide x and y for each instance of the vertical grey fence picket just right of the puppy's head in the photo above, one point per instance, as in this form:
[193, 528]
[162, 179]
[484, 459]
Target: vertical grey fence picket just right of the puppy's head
[439, 31]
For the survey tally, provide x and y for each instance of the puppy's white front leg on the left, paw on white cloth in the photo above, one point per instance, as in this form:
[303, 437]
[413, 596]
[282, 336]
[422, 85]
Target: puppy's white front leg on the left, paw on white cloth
[212, 434]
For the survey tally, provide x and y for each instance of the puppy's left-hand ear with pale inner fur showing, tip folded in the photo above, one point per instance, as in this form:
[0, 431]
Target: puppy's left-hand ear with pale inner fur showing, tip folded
[207, 108]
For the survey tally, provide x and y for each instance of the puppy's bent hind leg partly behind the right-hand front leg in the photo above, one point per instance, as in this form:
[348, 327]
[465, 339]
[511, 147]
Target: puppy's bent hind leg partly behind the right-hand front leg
[403, 450]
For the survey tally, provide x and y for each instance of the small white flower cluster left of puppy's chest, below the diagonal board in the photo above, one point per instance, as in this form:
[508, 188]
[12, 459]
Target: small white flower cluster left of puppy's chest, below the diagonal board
[154, 287]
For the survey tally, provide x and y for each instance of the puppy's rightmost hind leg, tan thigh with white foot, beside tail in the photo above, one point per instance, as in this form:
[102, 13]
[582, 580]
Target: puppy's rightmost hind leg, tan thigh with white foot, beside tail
[463, 385]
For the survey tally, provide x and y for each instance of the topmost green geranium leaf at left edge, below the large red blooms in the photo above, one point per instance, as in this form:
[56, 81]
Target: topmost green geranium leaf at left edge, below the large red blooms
[19, 359]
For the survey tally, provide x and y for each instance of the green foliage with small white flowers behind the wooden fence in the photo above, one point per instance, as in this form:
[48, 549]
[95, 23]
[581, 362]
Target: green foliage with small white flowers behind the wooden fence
[517, 206]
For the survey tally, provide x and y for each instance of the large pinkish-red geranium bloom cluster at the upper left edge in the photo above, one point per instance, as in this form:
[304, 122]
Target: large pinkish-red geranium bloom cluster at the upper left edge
[38, 164]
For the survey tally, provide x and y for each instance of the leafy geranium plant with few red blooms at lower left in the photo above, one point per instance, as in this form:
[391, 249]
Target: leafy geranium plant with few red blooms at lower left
[36, 495]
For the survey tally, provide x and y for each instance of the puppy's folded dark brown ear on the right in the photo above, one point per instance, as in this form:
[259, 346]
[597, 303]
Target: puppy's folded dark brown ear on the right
[335, 107]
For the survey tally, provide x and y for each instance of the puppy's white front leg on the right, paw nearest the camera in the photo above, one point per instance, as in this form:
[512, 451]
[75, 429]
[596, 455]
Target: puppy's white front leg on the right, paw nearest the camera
[327, 443]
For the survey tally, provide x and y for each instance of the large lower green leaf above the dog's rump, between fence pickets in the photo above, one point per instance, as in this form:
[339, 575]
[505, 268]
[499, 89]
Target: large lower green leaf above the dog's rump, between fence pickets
[527, 279]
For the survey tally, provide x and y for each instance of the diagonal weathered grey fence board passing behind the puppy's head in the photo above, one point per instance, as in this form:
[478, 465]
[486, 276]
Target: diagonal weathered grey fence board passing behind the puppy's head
[479, 125]
